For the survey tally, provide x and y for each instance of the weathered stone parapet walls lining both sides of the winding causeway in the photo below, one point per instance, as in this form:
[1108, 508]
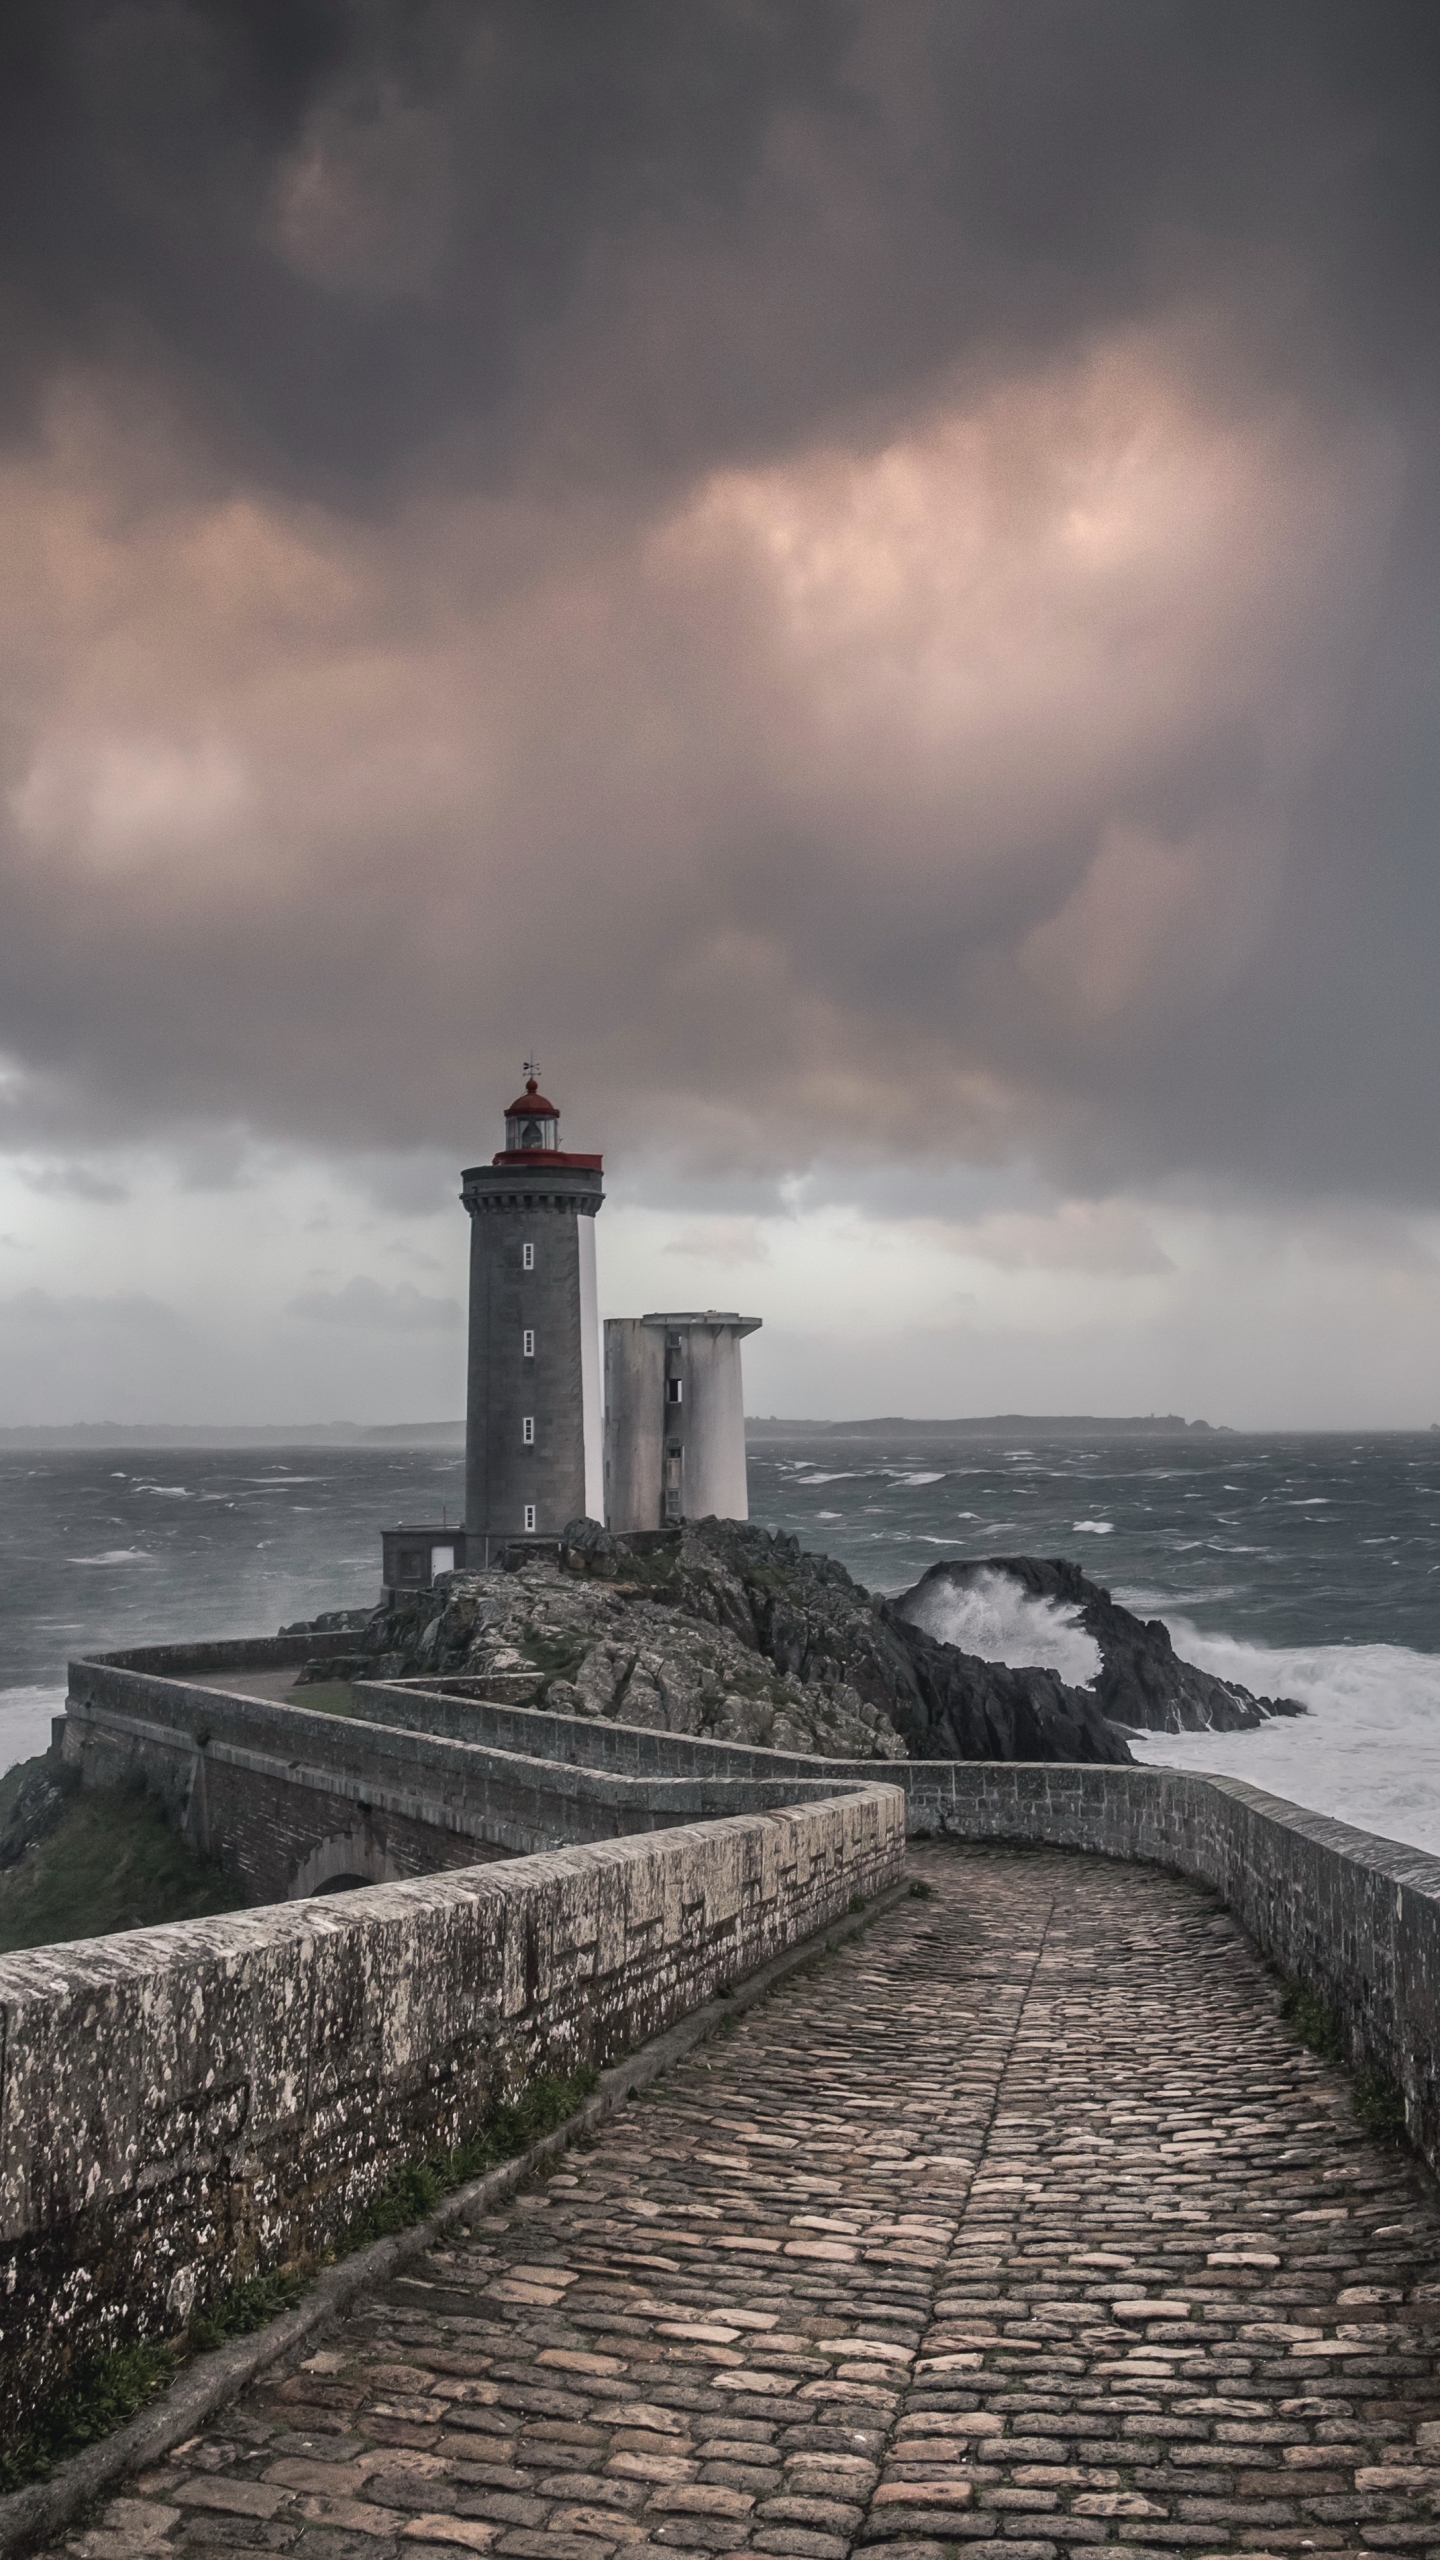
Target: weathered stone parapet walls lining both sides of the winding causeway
[181, 2106]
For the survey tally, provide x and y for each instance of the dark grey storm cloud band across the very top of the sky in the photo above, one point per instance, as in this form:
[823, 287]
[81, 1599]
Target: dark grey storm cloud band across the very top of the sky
[350, 227]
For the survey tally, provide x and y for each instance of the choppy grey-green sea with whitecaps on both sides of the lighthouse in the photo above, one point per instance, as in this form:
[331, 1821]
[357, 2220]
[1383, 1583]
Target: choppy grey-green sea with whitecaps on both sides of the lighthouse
[1305, 1565]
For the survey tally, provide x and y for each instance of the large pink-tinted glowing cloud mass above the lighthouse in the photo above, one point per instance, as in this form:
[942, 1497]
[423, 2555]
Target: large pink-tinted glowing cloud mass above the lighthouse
[880, 795]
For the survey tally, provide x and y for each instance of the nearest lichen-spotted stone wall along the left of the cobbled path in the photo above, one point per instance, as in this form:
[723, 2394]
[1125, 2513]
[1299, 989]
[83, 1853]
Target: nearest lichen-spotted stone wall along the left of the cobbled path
[186, 2106]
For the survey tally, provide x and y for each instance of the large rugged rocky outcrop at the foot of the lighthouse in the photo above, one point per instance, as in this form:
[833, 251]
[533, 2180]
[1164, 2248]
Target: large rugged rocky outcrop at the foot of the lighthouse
[729, 1632]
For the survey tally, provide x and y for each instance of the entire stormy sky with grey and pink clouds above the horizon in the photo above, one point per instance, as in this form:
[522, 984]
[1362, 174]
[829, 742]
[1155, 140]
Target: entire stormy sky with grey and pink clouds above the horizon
[855, 575]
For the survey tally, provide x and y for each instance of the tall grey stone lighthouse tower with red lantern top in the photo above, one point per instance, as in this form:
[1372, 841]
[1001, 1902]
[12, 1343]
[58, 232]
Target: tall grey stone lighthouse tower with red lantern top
[534, 1437]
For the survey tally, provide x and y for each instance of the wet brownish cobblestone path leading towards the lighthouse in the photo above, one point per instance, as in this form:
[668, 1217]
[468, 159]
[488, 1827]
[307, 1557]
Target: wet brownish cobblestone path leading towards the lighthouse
[1019, 2223]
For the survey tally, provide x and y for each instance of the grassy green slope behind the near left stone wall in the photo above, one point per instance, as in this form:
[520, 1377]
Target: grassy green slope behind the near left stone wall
[109, 1865]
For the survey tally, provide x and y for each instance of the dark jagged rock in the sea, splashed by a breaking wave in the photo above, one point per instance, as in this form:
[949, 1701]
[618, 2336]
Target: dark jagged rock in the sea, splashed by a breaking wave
[1144, 1686]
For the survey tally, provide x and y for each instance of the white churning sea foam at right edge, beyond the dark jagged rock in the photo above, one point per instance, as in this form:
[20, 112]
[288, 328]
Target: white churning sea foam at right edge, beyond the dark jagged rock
[1370, 1750]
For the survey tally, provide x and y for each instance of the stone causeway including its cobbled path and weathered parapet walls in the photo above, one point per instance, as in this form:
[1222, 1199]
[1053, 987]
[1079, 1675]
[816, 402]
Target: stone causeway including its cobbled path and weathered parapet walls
[1019, 2218]
